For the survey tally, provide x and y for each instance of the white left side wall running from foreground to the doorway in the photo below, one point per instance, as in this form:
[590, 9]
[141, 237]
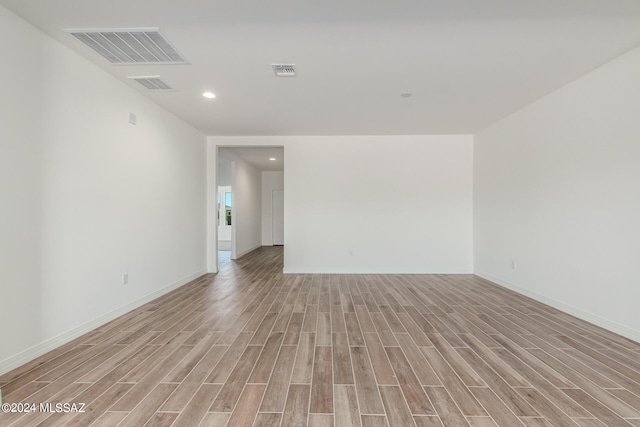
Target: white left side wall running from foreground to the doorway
[86, 196]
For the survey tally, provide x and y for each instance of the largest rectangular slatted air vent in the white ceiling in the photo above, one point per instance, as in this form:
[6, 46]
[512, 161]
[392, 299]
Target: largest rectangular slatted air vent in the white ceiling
[130, 46]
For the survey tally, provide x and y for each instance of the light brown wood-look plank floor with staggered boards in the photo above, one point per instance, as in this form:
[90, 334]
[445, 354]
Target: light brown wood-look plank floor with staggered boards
[251, 346]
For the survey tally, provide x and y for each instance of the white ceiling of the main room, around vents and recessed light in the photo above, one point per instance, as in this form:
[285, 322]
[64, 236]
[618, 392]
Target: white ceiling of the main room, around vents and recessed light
[467, 63]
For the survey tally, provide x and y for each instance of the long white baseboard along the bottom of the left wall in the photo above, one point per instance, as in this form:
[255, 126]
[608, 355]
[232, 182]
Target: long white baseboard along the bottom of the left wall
[38, 350]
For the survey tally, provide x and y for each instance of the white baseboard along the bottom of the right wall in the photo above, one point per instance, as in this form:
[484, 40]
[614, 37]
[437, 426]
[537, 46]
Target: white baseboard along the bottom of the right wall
[617, 328]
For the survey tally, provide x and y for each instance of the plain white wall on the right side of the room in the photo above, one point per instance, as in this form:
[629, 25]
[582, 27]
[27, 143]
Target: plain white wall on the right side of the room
[557, 189]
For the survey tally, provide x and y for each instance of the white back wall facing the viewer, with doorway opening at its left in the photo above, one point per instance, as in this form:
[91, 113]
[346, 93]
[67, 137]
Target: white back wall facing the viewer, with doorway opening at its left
[342, 193]
